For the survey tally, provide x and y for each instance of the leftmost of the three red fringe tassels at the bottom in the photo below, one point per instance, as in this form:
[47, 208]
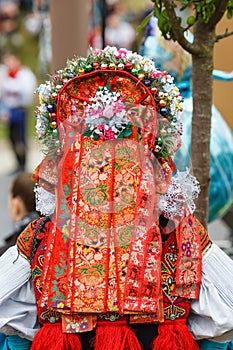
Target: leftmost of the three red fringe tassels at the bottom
[51, 337]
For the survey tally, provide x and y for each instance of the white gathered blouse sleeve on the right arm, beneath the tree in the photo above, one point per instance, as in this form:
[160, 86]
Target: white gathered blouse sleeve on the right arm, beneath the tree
[212, 314]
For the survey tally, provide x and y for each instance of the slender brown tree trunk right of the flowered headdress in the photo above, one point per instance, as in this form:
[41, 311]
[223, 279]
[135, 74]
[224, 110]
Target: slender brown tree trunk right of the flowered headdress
[201, 120]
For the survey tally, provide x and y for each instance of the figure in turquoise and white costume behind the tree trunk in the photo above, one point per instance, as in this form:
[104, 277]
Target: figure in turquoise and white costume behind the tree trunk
[170, 56]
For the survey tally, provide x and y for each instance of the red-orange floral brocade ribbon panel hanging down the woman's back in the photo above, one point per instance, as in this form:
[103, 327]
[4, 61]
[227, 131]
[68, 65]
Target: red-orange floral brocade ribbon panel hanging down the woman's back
[108, 221]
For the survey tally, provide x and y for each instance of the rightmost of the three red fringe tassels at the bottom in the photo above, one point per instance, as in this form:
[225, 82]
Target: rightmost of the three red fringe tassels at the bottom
[174, 335]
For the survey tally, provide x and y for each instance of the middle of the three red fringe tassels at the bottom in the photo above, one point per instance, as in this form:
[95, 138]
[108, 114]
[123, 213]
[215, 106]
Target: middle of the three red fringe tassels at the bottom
[115, 336]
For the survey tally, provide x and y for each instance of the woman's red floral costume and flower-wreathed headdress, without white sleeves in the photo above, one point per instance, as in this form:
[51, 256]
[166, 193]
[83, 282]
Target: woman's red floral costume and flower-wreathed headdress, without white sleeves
[118, 263]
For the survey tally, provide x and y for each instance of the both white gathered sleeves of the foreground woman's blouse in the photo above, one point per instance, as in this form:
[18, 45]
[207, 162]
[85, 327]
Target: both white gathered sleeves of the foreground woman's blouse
[211, 315]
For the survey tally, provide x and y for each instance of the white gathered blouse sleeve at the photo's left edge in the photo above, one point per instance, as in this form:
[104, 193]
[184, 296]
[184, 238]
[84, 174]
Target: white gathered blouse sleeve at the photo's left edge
[18, 313]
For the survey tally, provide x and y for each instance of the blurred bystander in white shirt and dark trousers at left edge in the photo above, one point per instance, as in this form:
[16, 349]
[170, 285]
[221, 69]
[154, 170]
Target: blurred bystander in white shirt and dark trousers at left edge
[17, 88]
